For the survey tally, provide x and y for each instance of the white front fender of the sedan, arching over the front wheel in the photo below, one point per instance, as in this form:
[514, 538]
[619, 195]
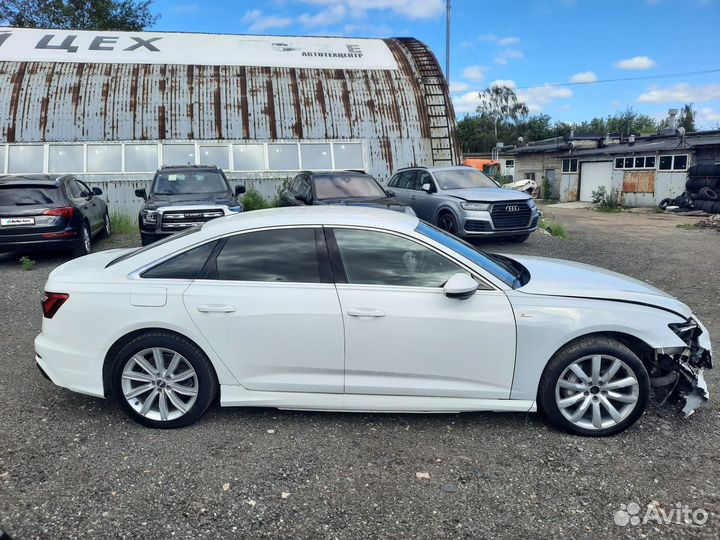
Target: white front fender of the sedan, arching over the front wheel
[545, 324]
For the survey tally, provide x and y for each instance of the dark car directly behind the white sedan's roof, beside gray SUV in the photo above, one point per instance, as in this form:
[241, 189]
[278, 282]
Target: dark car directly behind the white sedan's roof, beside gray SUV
[340, 187]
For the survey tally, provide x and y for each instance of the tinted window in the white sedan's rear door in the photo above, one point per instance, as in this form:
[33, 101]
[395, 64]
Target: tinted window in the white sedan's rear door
[281, 255]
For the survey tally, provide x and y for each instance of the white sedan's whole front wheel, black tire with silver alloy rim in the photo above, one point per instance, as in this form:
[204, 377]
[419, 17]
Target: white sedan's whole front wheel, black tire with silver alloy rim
[628, 401]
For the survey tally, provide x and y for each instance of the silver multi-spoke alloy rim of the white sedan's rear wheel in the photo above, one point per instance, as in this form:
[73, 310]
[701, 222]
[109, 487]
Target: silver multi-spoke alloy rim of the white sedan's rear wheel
[159, 384]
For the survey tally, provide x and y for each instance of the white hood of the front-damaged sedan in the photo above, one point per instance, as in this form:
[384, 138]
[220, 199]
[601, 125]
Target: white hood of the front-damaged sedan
[553, 277]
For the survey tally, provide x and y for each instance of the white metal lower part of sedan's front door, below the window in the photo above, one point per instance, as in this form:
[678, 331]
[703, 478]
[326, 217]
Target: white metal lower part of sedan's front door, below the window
[427, 344]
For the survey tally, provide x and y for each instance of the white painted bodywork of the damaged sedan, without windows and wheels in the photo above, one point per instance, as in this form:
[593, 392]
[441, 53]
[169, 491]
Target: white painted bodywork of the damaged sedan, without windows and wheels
[295, 346]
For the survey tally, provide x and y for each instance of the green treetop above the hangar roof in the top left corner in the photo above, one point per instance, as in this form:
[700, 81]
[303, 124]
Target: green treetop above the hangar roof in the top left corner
[128, 15]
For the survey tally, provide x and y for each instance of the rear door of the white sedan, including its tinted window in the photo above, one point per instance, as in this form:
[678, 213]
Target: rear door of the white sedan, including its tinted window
[268, 307]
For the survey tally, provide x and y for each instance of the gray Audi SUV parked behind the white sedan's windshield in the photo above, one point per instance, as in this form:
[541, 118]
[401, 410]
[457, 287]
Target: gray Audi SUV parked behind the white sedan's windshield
[466, 202]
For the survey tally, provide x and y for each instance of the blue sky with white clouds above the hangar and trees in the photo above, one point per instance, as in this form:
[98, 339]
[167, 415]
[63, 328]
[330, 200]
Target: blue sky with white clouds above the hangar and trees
[524, 43]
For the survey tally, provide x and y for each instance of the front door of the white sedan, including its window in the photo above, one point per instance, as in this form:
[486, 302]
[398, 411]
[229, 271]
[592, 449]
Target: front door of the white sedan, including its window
[403, 336]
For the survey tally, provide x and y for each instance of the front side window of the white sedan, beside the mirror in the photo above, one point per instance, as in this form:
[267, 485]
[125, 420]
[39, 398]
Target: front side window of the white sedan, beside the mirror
[376, 258]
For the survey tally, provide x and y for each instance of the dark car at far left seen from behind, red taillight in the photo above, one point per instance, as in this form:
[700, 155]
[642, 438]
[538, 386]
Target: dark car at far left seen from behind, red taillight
[48, 212]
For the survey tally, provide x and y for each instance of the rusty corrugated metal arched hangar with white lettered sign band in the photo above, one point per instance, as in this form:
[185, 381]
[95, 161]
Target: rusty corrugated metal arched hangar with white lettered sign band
[112, 107]
